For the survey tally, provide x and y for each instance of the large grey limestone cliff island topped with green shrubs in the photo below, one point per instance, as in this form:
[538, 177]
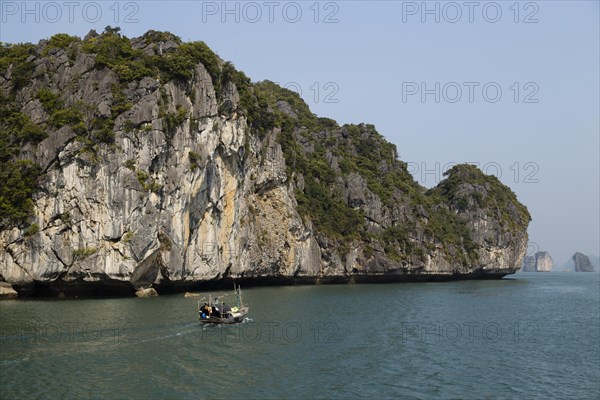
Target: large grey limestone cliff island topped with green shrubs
[159, 164]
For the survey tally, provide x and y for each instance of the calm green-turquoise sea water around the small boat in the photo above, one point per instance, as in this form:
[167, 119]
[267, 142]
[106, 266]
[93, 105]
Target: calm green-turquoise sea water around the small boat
[531, 335]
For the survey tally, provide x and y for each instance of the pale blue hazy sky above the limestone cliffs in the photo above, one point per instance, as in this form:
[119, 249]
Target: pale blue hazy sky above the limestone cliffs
[512, 86]
